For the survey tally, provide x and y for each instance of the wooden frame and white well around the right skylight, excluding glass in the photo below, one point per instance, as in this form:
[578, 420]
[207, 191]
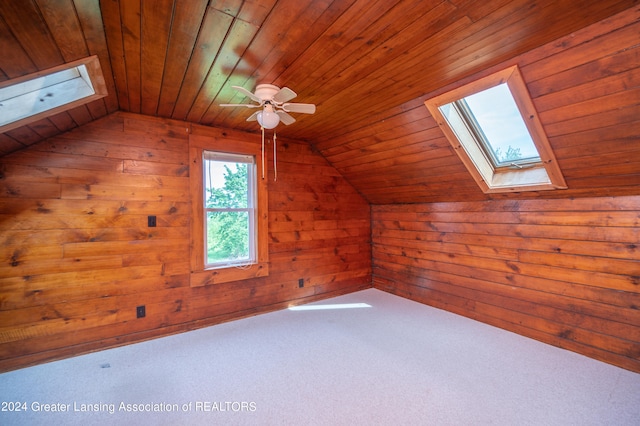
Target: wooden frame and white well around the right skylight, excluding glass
[538, 176]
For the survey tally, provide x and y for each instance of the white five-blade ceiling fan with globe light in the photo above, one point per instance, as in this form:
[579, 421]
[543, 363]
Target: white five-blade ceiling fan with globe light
[274, 105]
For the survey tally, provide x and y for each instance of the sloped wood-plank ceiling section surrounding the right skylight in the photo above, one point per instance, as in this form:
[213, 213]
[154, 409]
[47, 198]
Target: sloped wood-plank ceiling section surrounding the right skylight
[584, 87]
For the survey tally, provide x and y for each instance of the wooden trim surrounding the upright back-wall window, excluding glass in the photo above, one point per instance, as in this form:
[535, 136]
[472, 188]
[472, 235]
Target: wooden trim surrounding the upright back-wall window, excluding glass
[201, 274]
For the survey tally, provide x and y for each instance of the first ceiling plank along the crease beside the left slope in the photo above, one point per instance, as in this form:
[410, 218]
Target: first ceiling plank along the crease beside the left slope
[110, 11]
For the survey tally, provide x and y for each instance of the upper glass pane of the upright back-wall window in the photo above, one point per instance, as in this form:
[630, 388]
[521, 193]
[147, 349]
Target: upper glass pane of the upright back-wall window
[227, 184]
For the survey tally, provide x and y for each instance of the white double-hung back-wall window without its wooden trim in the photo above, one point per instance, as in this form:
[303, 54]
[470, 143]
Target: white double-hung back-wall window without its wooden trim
[229, 208]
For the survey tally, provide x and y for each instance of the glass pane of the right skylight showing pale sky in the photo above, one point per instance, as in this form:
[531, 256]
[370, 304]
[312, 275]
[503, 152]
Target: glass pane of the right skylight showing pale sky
[499, 119]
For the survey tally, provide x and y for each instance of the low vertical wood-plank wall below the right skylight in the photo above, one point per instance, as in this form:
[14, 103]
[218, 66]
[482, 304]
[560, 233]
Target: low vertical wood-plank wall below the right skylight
[565, 272]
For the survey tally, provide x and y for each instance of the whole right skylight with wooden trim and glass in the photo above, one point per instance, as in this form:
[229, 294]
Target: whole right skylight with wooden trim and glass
[494, 128]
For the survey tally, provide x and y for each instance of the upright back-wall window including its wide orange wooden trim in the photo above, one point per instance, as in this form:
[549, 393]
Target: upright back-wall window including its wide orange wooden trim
[229, 206]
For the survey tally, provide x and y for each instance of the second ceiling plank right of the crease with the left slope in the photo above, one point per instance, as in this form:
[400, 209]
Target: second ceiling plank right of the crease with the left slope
[130, 19]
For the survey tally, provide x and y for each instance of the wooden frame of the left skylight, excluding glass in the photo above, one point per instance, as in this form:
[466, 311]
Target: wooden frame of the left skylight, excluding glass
[89, 72]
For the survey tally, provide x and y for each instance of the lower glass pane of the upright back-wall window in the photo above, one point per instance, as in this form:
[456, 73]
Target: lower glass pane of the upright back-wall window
[227, 237]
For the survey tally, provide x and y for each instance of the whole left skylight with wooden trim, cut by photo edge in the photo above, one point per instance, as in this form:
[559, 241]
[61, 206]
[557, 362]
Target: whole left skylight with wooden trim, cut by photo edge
[33, 97]
